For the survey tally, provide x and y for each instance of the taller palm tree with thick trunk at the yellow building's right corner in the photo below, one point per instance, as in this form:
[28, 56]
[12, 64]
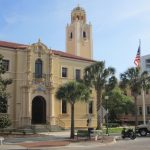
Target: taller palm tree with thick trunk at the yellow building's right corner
[101, 78]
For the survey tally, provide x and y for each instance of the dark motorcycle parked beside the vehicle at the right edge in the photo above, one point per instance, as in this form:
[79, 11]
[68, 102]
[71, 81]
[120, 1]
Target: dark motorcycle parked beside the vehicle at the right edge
[128, 133]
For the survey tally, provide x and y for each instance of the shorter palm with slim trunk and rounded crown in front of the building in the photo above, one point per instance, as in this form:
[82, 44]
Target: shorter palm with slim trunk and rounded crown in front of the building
[72, 92]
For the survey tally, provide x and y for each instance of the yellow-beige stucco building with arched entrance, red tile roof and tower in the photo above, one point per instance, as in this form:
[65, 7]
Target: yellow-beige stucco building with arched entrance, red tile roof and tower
[38, 71]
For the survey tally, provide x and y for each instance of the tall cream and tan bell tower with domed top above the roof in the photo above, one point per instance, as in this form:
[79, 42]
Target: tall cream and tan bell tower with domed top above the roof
[79, 35]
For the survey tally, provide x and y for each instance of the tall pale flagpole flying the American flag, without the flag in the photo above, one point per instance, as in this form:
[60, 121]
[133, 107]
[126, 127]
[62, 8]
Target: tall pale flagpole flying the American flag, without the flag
[143, 94]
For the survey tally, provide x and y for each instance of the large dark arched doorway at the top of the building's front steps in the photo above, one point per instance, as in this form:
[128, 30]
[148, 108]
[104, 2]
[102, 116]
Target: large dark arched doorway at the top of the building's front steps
[38, 110]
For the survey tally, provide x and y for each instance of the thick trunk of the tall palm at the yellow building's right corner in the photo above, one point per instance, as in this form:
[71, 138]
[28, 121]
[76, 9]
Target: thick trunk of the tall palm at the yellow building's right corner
[99, 115]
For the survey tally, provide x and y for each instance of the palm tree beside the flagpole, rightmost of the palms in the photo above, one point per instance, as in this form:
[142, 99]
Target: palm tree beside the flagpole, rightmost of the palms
[134, 80]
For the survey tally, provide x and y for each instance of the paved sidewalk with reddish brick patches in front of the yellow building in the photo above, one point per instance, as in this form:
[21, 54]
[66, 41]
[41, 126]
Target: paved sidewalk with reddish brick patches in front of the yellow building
[50, 139]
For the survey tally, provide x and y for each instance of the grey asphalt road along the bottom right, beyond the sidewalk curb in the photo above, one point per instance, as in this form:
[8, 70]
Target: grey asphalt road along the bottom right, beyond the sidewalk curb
[140, 143]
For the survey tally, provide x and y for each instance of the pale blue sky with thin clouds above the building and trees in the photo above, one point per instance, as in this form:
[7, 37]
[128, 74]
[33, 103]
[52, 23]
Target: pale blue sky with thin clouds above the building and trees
[117, 26]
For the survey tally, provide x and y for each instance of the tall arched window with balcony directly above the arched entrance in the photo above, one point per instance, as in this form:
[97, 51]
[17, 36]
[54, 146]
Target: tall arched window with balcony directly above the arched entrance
[38, 68]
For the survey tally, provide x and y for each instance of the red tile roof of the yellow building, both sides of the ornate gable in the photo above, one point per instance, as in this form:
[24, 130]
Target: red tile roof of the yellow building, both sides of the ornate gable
[55, 52]
